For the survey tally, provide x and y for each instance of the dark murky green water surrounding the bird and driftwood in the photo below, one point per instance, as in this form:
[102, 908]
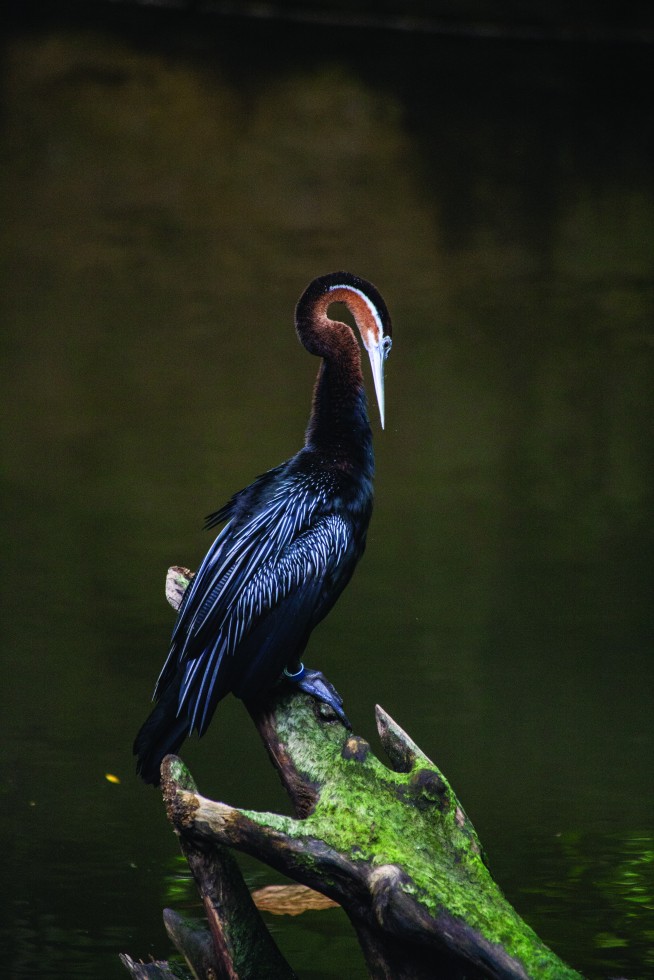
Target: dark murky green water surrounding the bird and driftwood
[166, 194]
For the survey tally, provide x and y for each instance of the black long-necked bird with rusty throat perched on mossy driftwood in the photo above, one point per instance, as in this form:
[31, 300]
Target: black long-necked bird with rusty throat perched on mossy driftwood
[289, 543]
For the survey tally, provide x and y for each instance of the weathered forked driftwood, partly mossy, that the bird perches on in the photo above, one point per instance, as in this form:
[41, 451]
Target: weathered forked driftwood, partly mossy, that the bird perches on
[393, 846]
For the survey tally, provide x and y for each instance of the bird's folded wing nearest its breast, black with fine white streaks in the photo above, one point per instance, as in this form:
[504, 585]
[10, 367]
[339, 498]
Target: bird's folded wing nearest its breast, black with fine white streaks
[246, 644]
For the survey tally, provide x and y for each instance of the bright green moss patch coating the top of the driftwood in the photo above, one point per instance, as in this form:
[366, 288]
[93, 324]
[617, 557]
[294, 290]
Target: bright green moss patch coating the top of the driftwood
[373, 816]
